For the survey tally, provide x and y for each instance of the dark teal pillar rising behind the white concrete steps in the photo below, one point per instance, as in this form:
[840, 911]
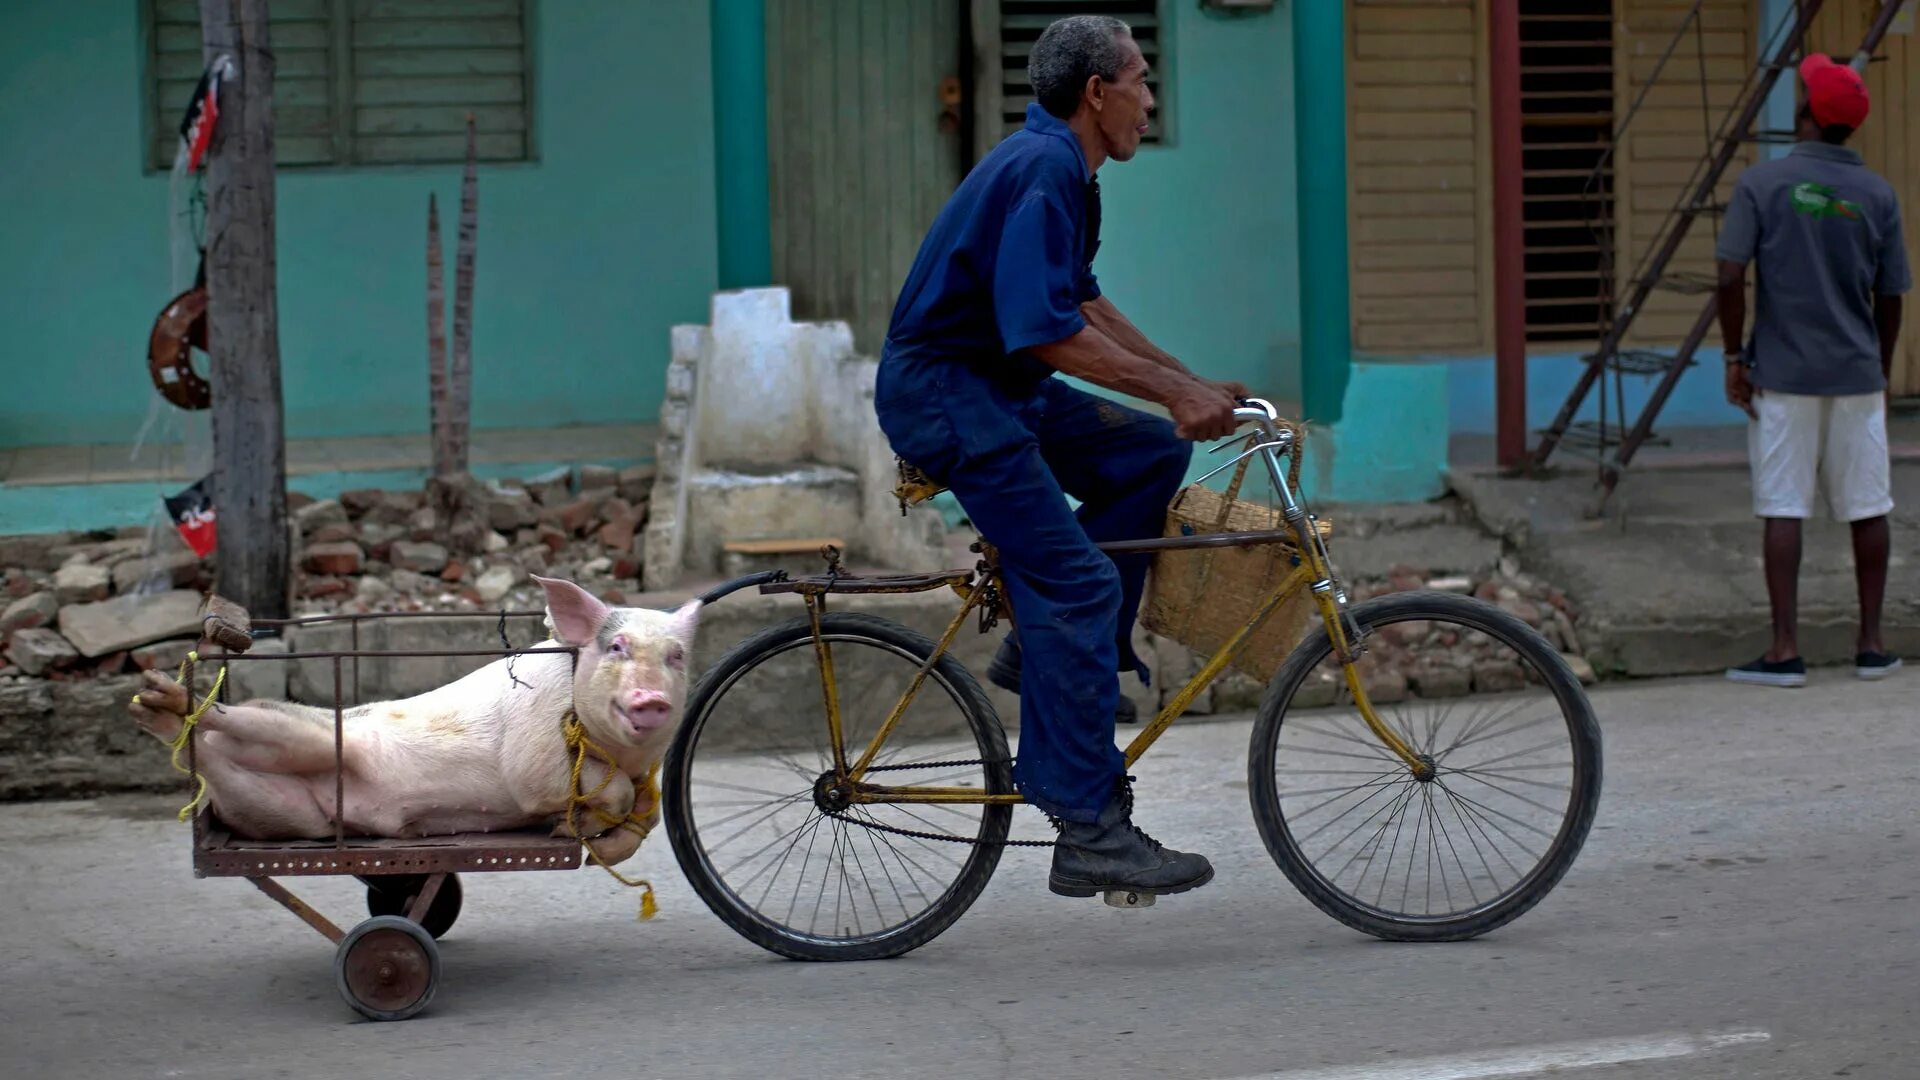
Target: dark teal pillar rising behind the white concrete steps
[740, 143]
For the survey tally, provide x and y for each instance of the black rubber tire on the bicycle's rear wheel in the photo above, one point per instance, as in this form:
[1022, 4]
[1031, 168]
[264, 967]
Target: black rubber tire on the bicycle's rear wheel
[986, 731]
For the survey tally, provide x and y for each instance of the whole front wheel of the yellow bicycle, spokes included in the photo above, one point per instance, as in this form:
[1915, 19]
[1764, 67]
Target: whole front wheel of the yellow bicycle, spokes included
[1516, 783]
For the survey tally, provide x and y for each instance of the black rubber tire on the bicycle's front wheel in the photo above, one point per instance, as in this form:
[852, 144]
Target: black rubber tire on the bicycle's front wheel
[1585, 743]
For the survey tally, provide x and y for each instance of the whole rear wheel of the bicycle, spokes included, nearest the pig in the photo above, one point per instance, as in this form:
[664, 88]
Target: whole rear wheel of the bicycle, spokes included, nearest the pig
[763, 839]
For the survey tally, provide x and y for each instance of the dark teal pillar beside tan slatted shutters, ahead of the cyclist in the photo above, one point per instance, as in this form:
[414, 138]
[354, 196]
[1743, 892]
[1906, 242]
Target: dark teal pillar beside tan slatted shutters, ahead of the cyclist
[1320, 132]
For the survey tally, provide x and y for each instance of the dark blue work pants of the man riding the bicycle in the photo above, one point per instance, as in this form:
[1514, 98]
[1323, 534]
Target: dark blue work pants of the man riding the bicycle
[1013, 456]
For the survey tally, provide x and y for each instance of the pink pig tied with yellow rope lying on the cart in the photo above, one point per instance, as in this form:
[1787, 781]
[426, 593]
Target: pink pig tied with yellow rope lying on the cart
[479, 754]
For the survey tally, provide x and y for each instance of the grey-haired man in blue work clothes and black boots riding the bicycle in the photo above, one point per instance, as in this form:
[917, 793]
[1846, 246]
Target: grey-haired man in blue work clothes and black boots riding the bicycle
[999, 301]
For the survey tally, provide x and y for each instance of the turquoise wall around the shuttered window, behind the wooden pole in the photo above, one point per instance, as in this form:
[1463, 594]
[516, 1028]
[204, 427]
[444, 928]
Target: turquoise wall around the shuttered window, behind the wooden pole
[585, 260]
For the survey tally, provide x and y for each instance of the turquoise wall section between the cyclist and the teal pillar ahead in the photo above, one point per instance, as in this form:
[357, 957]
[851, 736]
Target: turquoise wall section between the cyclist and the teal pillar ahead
[1199, 237]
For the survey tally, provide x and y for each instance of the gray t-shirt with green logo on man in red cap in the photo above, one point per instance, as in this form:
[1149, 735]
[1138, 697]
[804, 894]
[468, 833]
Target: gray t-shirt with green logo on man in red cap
[1825, 237]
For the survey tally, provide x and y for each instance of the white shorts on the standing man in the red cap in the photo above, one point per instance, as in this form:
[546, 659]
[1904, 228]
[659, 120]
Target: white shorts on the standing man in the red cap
[1838, 443]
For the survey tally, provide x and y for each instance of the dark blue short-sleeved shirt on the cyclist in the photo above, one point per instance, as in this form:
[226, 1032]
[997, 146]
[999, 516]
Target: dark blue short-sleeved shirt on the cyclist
[1009, 260]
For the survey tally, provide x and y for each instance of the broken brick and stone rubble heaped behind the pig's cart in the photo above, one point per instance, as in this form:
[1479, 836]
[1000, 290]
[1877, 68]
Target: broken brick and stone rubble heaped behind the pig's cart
[116, 602]
